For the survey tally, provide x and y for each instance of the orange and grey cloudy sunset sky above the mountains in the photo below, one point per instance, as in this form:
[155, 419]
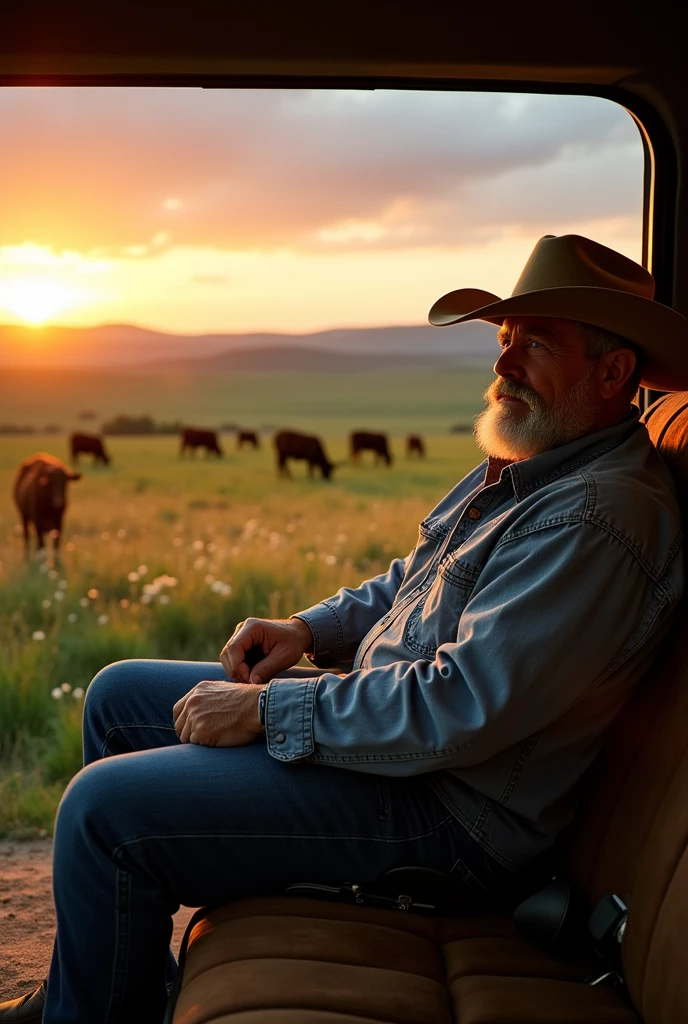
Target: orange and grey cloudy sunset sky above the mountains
[194, 210]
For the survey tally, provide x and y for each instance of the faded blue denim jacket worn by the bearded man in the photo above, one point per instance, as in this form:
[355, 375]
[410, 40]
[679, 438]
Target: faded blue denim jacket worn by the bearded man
[497, 654]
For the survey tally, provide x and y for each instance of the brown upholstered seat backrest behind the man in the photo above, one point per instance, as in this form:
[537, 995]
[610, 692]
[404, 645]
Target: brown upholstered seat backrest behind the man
[631, 835]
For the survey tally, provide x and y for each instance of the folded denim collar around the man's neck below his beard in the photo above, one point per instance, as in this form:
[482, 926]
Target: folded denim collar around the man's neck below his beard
[531, 475]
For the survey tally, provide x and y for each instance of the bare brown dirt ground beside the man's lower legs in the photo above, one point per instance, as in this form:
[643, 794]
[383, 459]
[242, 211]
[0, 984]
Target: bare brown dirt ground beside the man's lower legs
[27, 917]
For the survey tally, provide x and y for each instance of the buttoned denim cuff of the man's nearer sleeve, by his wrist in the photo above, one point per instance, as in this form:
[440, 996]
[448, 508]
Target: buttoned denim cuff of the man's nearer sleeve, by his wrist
[289, 719]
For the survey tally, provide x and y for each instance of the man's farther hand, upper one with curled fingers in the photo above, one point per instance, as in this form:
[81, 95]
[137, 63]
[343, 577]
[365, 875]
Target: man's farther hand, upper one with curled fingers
[284, 643]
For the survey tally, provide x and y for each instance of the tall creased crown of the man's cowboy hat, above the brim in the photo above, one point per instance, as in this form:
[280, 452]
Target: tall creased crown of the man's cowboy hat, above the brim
[572, 261]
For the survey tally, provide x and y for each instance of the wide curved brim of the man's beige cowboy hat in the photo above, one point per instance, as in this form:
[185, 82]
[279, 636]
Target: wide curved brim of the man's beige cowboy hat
[659, 331]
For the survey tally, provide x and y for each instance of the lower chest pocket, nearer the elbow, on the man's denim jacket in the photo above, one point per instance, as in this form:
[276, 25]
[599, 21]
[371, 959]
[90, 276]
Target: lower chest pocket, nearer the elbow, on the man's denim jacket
[435, 620]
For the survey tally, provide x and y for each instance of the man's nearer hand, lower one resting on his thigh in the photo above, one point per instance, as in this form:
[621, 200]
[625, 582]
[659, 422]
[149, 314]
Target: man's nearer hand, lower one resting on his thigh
[219, 714]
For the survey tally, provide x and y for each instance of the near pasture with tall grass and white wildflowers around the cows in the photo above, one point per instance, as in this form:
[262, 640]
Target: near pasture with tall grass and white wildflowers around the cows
[162, 558]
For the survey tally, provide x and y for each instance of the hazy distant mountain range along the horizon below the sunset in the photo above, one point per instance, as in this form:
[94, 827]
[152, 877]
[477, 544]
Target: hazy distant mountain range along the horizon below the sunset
[346, 350]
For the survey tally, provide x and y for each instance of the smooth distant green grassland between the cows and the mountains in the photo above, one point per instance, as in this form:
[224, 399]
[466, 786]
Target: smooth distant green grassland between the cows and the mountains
[429, 402]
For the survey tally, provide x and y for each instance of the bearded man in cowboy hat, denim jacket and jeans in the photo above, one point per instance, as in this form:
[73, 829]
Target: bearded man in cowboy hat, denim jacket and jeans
[462, 695]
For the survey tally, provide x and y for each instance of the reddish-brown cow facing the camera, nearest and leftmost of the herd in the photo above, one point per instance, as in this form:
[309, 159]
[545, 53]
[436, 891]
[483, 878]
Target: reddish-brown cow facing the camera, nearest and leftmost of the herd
[40, 493]
